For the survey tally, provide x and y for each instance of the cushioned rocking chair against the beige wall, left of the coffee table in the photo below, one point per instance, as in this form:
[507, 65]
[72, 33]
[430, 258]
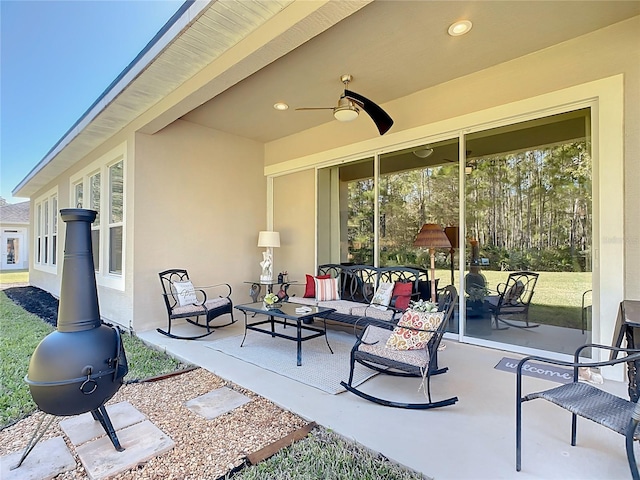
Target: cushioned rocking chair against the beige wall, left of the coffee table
[184, 301]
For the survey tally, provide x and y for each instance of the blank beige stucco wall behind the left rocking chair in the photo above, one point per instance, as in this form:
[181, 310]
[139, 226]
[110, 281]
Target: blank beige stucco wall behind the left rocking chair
[199, 204]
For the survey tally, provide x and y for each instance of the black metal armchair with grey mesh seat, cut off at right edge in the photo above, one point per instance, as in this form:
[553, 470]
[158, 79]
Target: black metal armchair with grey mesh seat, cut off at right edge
[585, 400]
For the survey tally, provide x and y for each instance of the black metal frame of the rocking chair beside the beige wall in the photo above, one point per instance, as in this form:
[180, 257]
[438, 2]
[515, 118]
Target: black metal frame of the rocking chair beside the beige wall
[167, 278]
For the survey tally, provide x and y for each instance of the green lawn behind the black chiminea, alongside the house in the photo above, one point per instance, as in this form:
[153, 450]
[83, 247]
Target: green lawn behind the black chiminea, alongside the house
[20, 334]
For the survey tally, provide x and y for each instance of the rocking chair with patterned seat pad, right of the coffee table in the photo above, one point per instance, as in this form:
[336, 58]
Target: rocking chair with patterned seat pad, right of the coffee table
[371, 351]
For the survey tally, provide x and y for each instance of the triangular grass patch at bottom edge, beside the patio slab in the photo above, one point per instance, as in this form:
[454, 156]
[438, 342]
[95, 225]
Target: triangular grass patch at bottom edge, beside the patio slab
[324, 454]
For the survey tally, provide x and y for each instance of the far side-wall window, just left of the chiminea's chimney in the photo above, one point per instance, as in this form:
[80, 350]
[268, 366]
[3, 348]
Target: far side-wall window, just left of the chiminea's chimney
[46, 228]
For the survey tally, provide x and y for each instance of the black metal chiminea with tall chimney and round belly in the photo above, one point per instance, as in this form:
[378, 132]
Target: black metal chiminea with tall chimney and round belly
[81, 366]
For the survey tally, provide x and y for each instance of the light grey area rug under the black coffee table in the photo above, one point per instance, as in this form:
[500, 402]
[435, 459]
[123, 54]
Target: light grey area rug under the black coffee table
[319, 369]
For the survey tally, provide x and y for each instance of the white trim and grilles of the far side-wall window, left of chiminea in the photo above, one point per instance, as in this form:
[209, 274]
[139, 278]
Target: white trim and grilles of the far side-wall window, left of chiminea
[46, 199]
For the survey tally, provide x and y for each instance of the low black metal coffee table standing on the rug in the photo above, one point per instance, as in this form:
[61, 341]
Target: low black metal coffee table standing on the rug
[280, 315]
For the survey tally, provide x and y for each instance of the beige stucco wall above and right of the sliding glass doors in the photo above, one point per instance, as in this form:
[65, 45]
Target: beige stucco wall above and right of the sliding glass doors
[601, 54]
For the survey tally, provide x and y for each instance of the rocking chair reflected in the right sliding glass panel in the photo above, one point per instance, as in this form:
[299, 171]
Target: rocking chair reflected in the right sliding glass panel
[516, 305]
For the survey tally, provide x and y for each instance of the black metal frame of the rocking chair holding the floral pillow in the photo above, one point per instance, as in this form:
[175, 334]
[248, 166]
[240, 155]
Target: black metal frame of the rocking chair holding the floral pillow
[447, 304]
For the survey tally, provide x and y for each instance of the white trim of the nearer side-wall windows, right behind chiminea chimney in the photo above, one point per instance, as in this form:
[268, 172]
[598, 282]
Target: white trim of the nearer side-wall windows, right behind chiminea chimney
[101, 165]
